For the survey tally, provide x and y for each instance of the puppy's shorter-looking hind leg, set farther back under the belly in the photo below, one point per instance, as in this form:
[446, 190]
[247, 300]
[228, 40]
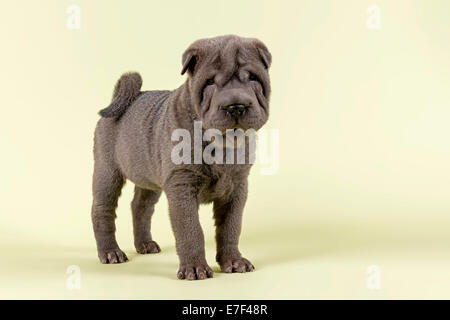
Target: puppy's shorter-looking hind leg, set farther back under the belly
[142, 207]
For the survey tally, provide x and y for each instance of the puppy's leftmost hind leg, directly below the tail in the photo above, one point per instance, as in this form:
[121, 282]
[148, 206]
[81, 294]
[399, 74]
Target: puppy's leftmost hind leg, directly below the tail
[107, 186]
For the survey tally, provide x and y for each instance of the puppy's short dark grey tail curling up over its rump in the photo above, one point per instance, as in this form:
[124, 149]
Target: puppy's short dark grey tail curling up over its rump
[127, 89]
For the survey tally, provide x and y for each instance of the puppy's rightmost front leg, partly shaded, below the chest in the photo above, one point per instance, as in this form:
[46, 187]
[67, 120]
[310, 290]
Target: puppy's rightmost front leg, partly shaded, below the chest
[228, 217]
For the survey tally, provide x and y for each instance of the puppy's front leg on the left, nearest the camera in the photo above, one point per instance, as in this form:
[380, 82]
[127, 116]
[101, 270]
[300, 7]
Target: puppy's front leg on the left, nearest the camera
[182, 191]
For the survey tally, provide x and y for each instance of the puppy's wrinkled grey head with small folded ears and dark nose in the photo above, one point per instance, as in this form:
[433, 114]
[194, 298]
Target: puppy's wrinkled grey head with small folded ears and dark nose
[229, 82]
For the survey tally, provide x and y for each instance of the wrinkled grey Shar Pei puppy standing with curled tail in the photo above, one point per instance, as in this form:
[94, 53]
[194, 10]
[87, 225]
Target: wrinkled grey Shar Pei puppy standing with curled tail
[227, 87]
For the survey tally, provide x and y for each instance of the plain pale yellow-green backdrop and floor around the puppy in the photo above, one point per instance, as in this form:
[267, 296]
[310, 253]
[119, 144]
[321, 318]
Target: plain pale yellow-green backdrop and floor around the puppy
[364, 154]
